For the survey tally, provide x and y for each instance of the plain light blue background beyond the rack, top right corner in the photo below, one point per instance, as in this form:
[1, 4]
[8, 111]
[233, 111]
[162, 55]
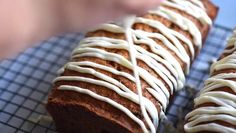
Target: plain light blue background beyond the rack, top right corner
[227, 13]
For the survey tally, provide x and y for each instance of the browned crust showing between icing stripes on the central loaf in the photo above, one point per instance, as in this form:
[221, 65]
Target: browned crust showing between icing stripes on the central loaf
[105, 110]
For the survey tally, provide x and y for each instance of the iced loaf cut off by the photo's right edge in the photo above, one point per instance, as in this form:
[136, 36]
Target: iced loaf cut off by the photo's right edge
[215, 107]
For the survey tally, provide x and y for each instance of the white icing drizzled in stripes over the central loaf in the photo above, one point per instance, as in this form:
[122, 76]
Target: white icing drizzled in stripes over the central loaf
[159, 59]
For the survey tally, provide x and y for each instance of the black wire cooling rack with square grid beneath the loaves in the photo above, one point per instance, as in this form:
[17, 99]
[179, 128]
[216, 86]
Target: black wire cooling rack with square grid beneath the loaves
[26, 80]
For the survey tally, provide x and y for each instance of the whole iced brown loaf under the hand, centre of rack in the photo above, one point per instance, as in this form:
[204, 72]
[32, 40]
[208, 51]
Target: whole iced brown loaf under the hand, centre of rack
[97, 92]
